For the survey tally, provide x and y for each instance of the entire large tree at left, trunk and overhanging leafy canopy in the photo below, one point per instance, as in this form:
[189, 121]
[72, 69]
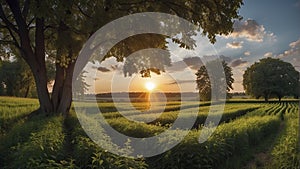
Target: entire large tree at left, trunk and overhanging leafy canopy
[59, 28]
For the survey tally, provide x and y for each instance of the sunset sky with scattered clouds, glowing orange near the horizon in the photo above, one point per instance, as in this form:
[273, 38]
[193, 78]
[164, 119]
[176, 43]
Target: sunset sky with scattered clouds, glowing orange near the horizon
[269, 28]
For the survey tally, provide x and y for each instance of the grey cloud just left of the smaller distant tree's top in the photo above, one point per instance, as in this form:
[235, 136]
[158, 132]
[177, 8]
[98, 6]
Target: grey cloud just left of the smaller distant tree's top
[193, 63]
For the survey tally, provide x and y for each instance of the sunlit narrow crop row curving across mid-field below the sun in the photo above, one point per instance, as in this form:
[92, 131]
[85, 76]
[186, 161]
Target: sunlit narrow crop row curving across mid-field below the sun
[167, 118]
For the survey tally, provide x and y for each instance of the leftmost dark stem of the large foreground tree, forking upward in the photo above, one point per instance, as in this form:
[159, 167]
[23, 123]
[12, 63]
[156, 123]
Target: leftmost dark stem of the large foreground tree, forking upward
[35, 58]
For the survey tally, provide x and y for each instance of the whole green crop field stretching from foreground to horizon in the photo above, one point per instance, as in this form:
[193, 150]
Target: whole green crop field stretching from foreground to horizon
[251, 134]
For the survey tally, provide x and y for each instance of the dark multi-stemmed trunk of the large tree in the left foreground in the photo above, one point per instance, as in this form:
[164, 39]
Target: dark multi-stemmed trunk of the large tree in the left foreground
[34, 55]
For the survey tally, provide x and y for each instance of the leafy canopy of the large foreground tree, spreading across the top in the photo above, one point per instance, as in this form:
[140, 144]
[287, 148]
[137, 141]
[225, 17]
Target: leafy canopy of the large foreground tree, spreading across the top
[68, 24]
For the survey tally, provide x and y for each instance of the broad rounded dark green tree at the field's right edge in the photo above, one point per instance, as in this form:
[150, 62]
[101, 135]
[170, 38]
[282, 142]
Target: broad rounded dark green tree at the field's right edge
[271, 77]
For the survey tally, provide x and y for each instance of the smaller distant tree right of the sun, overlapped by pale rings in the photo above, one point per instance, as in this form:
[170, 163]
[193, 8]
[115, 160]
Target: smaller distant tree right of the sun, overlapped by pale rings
[207, 82]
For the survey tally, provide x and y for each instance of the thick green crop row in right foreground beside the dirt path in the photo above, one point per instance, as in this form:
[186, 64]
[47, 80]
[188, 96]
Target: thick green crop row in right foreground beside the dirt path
[234, 138]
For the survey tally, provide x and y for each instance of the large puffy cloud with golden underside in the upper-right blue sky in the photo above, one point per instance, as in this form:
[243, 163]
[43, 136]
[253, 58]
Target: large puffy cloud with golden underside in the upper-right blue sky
[250, 30]
